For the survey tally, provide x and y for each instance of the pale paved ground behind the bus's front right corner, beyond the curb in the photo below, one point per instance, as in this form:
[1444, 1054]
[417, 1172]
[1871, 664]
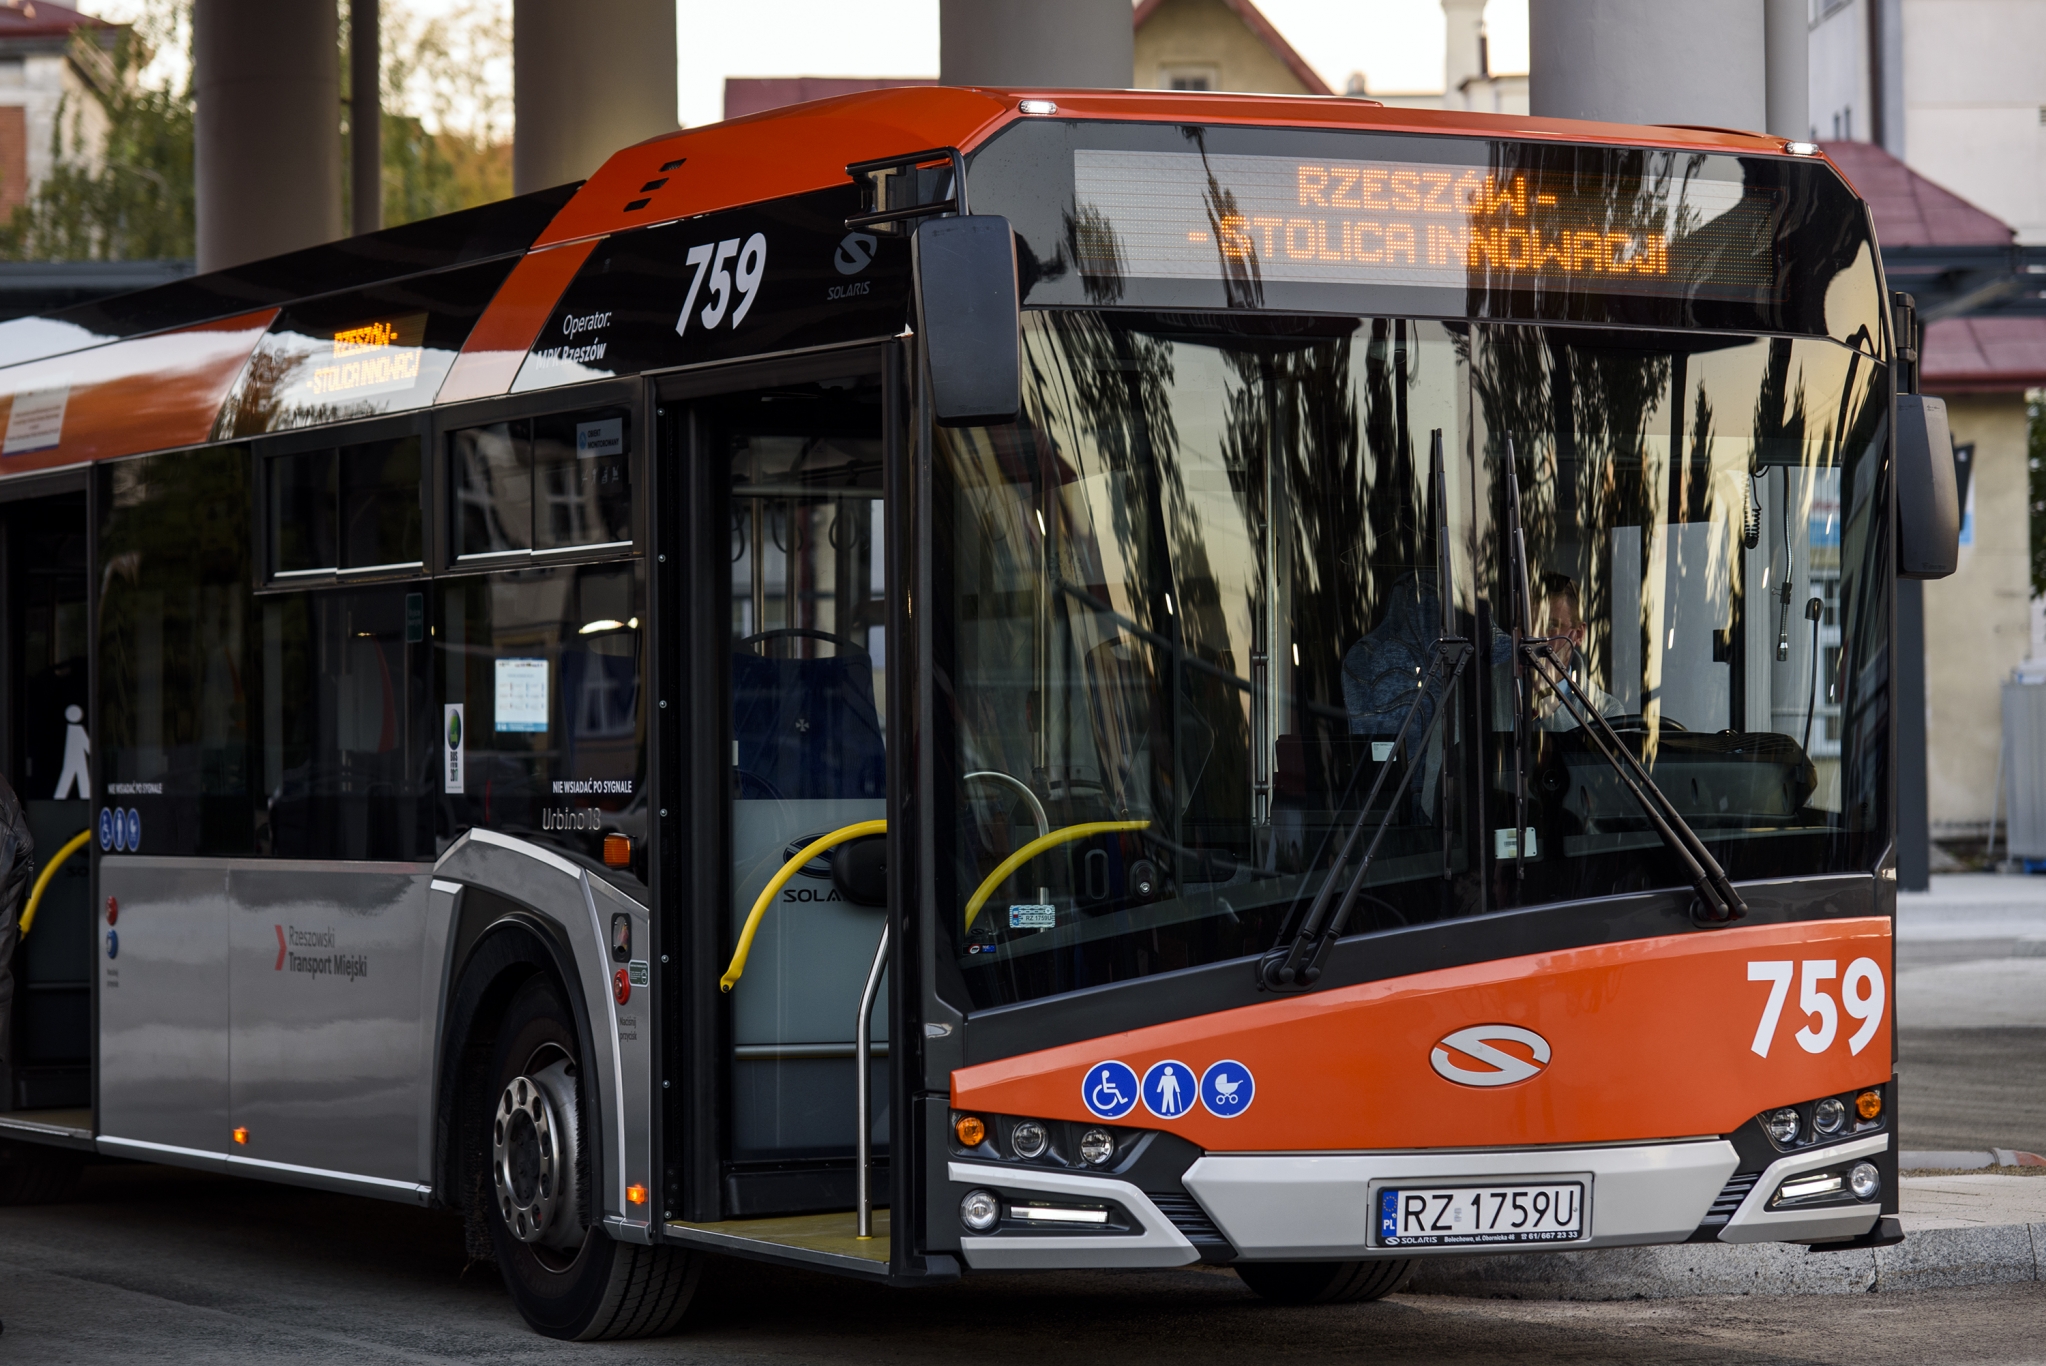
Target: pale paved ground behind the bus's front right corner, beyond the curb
[1971, 1017]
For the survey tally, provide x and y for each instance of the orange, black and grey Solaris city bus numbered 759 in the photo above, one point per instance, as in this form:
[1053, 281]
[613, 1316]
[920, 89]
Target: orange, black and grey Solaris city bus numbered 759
[963, 680]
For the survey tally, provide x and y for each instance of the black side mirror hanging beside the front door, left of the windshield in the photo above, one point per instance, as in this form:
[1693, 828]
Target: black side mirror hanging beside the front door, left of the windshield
[971, 318]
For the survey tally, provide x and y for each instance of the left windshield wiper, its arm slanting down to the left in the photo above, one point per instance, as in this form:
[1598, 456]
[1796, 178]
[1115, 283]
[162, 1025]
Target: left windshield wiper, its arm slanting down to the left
[1296, 966]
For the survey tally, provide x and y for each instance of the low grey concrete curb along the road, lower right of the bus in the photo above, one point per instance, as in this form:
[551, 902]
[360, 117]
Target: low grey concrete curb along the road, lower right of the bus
[1926, 1261]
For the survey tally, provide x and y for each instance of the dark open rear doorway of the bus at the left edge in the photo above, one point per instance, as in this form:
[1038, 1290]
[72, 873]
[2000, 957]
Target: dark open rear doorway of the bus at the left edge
[46, 760]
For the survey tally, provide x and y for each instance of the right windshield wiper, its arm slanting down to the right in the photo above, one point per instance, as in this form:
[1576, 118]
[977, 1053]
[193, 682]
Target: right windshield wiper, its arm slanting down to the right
[1718, 901]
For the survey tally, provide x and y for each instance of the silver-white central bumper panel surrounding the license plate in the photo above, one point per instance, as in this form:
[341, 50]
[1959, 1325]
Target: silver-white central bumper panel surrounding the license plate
[1321, 1205]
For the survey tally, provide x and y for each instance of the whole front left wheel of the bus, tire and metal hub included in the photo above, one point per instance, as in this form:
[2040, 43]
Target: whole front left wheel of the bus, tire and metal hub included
[566, 1273]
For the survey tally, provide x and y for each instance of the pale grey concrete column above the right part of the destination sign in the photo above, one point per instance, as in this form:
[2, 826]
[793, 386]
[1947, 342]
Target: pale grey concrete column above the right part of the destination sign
[1630, 62]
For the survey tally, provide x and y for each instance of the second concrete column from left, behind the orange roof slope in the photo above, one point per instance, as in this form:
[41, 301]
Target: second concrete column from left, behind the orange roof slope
[588, 79]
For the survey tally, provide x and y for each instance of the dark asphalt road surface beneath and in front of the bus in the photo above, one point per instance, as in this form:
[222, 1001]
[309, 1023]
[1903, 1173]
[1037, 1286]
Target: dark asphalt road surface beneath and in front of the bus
[175, 1267]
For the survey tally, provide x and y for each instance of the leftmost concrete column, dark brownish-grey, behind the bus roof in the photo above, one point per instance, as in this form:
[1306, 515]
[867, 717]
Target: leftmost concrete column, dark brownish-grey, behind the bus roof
[269, 128]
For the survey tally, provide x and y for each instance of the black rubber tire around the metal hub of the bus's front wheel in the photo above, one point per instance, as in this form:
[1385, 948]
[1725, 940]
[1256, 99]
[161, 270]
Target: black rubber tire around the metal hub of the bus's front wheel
[601, 1289]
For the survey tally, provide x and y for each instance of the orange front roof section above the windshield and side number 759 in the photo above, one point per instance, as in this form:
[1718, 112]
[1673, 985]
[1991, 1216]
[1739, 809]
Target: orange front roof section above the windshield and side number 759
[807, 146]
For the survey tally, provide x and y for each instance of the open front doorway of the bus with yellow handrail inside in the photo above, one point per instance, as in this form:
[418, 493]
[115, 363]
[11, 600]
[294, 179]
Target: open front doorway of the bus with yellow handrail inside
[776, 498]
